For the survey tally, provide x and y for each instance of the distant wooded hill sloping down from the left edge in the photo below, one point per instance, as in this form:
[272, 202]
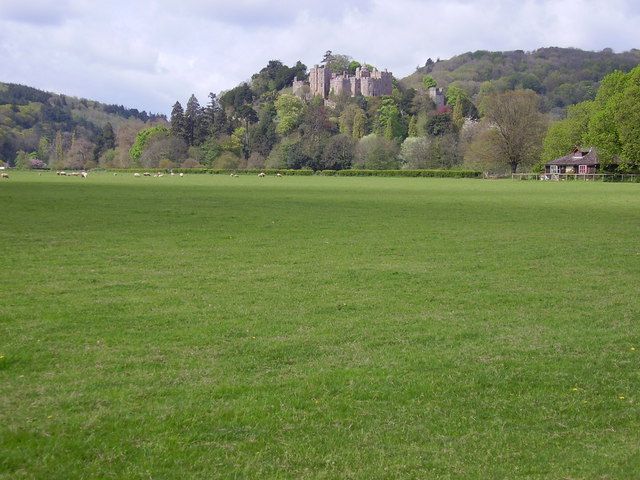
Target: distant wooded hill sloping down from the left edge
[28, 114]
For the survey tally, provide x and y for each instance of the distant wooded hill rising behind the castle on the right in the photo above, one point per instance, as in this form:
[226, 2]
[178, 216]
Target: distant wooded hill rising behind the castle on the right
[563, 76]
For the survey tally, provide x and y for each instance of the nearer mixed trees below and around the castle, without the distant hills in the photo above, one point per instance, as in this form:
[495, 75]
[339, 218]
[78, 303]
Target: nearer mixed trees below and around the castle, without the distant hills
[261, 124]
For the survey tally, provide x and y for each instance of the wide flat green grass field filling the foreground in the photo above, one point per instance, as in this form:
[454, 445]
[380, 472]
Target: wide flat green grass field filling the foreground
[371, 328]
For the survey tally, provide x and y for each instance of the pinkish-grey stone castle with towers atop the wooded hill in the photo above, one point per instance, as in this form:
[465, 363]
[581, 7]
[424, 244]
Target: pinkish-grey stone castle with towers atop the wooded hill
[322, 81]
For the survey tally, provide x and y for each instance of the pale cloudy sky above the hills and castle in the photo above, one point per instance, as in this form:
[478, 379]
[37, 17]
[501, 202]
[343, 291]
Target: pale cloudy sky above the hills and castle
[147, 54]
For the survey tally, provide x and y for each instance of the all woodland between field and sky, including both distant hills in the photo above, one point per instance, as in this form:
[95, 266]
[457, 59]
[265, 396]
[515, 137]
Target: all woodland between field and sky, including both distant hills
[504, 111]
